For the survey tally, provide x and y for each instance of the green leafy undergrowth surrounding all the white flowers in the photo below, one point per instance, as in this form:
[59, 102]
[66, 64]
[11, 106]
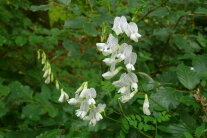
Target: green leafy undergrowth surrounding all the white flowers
[172, 67]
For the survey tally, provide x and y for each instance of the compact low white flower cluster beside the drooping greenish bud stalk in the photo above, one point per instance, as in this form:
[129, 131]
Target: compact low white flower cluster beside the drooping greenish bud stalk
[84, 98]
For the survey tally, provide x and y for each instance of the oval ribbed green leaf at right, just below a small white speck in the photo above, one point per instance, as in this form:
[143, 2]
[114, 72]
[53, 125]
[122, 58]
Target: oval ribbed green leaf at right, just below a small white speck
[187, 77]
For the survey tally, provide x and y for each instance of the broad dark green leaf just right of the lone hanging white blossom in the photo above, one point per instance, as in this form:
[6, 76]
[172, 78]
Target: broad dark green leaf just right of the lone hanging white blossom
[165, 97]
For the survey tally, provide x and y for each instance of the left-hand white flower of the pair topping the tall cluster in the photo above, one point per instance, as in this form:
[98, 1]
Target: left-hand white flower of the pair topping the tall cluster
[119, 24]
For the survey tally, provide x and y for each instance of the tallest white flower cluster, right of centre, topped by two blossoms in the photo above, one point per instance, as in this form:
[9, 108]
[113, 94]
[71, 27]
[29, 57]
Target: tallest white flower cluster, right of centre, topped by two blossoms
[127, 83]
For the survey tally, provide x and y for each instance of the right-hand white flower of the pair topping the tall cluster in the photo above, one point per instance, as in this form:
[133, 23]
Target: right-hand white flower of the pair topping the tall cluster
[131, 31]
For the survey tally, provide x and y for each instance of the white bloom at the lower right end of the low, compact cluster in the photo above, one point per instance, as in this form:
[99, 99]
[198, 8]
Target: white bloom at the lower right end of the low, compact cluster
[95, 114]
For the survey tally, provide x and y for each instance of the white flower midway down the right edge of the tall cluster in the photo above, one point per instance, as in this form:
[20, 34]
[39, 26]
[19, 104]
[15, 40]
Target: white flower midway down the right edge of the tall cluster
[130, 61]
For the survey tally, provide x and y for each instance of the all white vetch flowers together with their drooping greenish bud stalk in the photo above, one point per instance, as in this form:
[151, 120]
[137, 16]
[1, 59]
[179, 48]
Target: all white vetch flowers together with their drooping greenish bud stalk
[127, 84]
